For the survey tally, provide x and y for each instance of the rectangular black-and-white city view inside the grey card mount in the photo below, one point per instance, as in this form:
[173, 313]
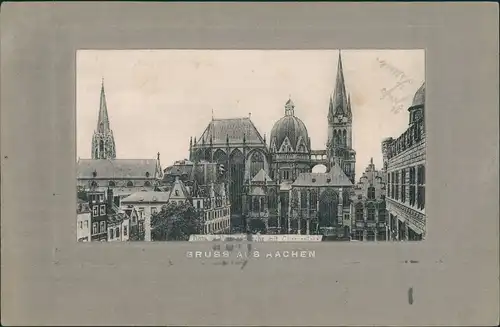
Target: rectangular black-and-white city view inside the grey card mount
[192, 145]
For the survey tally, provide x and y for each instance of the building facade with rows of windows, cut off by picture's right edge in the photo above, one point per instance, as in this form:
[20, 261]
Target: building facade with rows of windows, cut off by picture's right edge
[404, 162]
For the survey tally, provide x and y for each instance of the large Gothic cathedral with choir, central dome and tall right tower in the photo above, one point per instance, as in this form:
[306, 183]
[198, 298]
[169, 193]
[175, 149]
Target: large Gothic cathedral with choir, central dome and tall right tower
[271, 185]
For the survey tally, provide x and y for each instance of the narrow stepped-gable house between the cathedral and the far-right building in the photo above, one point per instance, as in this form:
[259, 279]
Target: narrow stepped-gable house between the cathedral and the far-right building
[368, 207]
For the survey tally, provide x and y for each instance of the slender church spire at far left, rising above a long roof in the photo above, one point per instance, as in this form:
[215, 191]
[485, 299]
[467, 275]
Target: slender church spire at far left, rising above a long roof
[103, 142]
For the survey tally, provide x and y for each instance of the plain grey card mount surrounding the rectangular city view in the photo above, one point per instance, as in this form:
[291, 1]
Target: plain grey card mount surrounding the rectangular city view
[451, 278]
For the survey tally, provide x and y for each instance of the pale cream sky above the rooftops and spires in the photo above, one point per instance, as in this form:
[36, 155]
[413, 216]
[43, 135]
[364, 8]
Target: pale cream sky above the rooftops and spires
[157, 99]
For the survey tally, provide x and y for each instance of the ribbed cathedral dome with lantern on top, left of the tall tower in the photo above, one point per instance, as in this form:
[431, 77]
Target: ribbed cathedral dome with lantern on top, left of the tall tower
[290, 127]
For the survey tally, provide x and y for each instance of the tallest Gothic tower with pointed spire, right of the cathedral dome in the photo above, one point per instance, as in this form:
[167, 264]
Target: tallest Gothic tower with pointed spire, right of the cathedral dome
[339, 145]
